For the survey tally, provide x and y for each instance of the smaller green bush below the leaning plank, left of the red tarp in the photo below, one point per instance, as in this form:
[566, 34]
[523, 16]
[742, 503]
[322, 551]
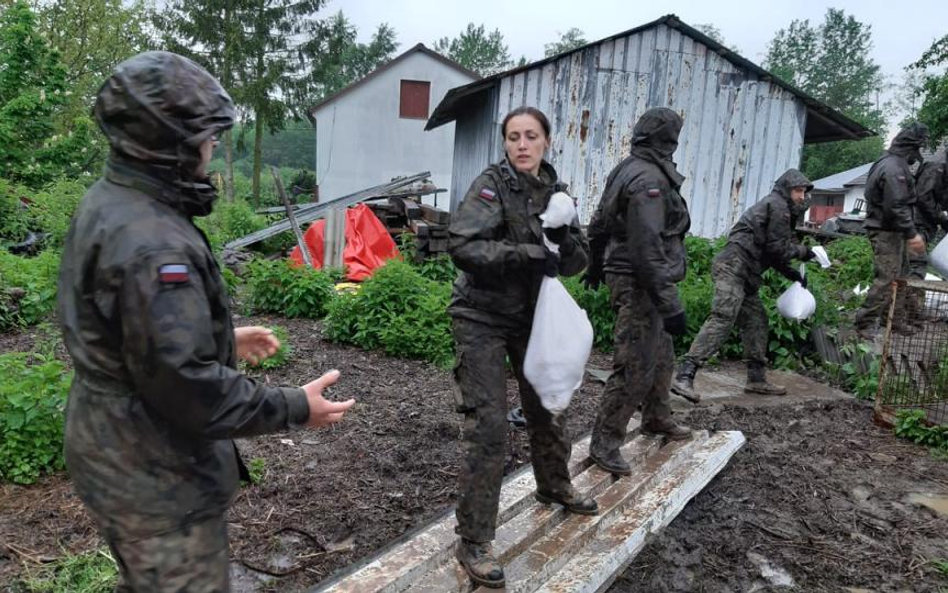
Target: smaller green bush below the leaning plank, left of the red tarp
[292, 291]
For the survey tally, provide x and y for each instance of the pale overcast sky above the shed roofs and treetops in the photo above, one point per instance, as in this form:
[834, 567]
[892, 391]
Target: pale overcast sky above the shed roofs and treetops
[901, 31]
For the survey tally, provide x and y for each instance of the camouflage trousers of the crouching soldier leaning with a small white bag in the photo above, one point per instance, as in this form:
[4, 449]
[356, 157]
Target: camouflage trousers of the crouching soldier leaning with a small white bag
[735, 301]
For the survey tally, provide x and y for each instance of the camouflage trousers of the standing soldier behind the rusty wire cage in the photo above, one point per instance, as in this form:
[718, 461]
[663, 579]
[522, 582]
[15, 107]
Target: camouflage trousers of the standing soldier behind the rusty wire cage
[890, 262]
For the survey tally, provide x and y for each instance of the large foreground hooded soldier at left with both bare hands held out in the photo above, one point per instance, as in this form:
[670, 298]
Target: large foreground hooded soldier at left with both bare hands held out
[156, 399]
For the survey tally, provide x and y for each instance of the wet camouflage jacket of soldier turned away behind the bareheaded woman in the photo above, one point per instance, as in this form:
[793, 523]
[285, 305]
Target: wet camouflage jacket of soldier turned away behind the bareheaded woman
[642, 213]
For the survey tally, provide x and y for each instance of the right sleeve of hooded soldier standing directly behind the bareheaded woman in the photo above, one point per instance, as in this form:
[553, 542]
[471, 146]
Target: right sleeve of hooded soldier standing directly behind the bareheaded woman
[645, 222]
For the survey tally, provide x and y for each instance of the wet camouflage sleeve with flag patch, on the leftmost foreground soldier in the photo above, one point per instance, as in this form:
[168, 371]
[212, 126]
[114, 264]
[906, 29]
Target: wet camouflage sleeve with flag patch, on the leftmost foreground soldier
[169, 348]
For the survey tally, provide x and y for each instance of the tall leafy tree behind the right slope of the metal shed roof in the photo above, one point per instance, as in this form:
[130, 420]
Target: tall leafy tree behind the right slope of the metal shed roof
[832, 63]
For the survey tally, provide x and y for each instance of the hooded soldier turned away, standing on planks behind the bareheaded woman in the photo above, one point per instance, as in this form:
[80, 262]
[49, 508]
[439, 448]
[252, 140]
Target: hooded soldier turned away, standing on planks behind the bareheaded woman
[641, 212]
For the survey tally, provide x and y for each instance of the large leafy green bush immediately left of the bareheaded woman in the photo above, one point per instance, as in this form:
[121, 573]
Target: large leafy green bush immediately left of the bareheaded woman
[398, 311]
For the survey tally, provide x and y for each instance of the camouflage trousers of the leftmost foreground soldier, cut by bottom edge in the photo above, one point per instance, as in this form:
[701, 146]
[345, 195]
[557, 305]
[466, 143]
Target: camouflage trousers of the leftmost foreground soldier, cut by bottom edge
[193, 559]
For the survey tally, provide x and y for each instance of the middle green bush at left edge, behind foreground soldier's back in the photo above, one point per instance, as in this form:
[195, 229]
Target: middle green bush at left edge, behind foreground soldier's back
[27, 288]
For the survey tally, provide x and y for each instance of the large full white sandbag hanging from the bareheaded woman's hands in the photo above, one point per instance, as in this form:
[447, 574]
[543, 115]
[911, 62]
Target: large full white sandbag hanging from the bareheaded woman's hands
[559, 346]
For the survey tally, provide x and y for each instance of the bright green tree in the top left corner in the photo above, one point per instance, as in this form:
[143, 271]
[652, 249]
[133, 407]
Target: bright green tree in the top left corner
[33, 95]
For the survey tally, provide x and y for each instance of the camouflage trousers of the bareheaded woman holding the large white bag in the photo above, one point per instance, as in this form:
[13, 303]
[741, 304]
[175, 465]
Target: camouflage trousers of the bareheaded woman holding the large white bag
[481, 396]
